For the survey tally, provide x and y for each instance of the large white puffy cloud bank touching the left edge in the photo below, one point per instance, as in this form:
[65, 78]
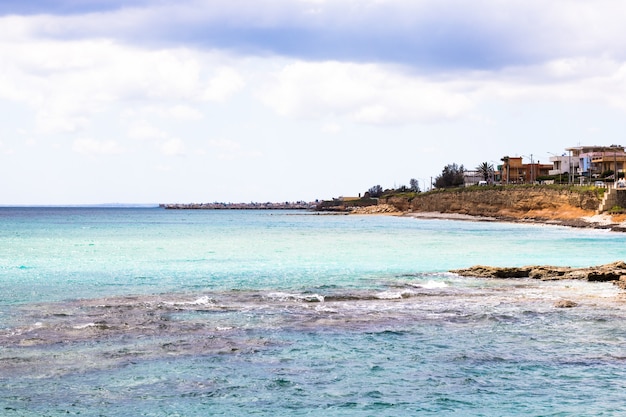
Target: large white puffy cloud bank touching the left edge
[68, 82]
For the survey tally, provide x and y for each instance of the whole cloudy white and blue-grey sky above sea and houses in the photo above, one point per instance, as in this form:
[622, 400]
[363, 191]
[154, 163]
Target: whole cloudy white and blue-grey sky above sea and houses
[163, 101]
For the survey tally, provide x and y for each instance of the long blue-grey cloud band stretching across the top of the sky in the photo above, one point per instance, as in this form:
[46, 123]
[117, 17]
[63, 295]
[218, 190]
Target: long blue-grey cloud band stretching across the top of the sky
[431, 34]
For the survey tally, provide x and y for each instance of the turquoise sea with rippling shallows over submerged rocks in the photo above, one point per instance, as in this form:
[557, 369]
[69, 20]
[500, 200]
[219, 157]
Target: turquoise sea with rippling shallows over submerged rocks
[153, 312]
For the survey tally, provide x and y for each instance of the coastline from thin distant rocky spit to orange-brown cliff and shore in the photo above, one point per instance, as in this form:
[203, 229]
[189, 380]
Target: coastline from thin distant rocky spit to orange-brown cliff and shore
[564, 206]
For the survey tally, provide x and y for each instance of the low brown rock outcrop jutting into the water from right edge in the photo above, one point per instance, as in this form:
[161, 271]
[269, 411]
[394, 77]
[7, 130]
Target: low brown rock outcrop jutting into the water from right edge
[614, 272]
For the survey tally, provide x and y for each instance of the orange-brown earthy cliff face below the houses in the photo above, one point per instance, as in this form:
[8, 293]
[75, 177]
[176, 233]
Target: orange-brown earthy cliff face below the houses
[519, 203]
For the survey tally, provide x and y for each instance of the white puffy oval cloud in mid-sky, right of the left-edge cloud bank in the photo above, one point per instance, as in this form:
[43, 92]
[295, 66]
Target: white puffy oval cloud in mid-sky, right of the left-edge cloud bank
[368, 94]
